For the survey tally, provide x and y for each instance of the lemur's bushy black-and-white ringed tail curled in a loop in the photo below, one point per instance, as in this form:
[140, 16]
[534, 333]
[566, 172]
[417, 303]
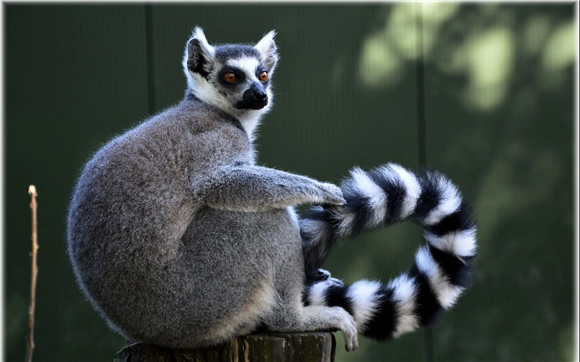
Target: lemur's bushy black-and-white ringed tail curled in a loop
[442, 267]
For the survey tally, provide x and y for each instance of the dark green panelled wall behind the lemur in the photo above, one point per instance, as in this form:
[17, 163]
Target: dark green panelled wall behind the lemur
[482, 92]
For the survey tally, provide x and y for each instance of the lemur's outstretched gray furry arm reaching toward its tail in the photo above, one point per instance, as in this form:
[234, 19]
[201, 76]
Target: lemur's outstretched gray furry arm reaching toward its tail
[255, 188]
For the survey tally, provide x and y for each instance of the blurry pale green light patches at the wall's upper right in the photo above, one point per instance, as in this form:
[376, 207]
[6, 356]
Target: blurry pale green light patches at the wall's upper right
[483, 45]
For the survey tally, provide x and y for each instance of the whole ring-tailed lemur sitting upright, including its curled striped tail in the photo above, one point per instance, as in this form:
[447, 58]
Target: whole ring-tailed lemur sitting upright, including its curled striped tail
[179, 239]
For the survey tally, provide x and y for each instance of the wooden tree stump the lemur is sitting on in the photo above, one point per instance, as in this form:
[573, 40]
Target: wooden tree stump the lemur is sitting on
[272, 347]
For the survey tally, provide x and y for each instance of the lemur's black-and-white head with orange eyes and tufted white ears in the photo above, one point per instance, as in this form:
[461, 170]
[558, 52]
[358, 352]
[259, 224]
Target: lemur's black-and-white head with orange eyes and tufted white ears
[232, 77]
